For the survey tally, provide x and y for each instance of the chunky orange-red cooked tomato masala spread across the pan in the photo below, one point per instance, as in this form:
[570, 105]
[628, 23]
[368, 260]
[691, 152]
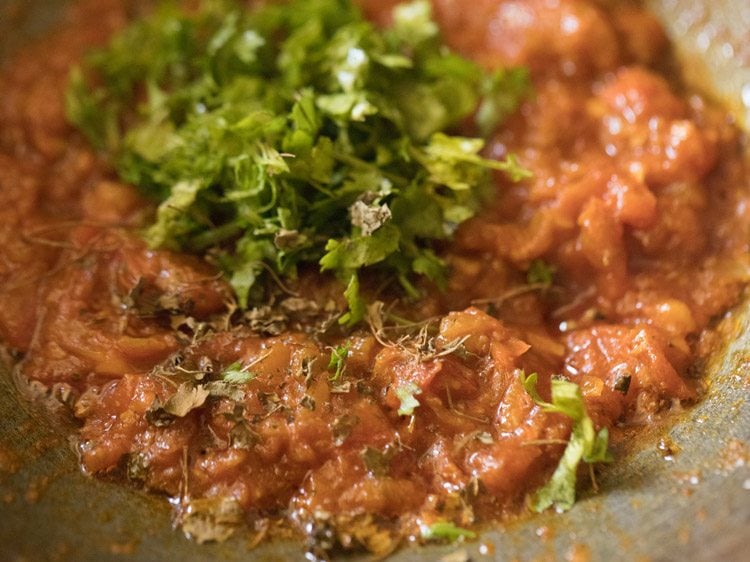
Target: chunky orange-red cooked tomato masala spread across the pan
[607, 267]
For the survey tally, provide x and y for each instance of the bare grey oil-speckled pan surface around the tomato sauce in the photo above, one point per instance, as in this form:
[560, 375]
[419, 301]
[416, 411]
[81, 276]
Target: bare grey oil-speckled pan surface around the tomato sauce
[693, 505]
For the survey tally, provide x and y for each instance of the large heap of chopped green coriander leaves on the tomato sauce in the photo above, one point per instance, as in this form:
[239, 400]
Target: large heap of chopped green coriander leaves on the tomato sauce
[296, 133]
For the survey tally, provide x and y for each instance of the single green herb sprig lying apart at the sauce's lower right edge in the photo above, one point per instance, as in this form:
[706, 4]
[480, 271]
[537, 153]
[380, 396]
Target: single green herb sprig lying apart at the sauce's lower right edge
[584, 444]
